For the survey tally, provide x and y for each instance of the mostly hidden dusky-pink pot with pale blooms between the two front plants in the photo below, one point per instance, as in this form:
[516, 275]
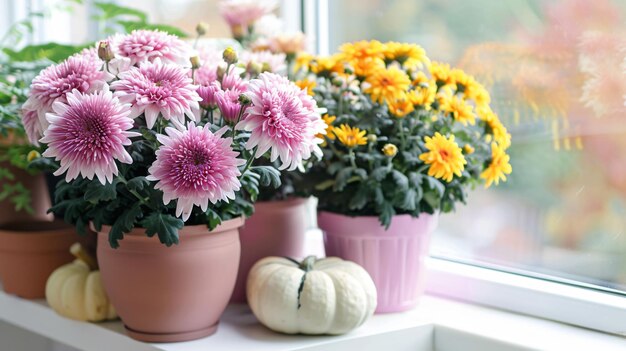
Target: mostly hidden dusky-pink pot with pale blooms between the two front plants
[278, 226]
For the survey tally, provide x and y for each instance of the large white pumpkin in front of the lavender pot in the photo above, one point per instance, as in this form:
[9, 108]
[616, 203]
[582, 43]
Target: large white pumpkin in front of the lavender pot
[325, 296]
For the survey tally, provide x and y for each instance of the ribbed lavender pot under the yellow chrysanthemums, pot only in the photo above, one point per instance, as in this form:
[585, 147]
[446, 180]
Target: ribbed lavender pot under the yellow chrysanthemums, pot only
[394, 258]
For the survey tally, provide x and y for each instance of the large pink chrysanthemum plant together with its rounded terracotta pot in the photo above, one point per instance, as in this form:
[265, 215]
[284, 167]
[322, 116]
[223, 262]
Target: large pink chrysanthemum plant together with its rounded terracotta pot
[145, 157]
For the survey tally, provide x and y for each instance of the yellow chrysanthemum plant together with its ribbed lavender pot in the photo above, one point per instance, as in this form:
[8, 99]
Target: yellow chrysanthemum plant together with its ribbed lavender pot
[406, 139]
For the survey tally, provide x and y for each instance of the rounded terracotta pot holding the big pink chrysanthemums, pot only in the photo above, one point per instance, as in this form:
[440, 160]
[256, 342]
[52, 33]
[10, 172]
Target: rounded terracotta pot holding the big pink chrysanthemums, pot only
[169, 294]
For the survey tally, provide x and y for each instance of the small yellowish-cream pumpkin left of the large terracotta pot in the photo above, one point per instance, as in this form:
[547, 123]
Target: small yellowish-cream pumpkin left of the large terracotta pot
[75, 290]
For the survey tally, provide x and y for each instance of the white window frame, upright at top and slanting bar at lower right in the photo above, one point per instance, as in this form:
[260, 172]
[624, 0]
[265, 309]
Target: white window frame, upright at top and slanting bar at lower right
[567, 303]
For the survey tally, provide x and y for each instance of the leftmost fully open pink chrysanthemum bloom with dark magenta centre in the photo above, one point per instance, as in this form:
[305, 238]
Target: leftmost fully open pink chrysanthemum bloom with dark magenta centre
[88, 134]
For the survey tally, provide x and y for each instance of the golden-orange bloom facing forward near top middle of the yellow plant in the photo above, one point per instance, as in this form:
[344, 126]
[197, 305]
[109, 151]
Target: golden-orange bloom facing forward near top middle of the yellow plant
[388, 85]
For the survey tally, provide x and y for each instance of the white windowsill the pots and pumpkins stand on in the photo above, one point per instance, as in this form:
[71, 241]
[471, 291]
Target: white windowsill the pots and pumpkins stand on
[437, 324]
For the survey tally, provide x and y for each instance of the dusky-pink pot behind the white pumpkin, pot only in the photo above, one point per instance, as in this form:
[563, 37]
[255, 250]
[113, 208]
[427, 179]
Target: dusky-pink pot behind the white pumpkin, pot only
[276, 228]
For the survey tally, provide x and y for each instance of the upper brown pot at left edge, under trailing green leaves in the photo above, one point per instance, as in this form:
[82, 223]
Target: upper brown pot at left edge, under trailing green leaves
[39, 195]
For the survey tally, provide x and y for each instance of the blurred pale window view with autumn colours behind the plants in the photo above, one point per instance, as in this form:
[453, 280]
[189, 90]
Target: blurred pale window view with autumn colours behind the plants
[557, 74]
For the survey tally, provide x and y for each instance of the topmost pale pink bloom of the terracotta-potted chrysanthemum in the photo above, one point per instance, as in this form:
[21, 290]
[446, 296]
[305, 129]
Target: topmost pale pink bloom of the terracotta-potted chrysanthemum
[148, 45]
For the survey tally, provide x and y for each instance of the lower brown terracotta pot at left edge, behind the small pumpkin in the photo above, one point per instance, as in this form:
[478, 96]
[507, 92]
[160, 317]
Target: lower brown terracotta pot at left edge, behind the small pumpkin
[29, 252]
